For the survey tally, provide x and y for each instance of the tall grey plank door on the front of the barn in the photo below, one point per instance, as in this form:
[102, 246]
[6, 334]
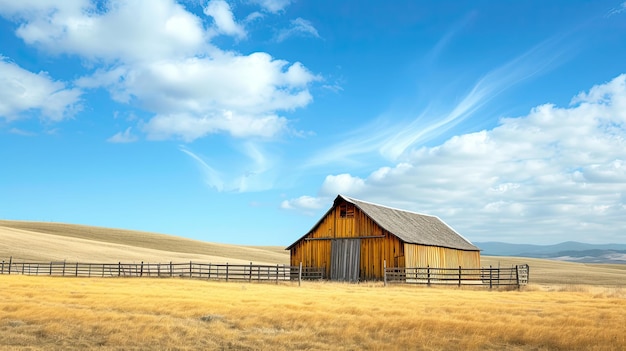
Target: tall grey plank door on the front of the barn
[345, 259]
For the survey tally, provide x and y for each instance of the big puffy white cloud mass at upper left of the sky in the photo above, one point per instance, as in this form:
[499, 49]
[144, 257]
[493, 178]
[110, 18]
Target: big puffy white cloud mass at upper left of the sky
[158, 56]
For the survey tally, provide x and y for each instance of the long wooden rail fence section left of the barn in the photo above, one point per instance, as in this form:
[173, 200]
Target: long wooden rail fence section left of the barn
[207, 271]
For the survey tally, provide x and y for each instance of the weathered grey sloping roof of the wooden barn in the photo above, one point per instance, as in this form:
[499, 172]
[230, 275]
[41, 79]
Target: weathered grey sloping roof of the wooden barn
[411, 227]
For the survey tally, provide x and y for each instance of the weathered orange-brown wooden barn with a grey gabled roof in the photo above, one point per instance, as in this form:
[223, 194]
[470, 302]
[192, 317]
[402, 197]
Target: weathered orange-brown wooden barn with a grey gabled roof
[354, 237]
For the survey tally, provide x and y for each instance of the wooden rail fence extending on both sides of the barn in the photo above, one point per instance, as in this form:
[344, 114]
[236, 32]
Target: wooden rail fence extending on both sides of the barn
[491, 277]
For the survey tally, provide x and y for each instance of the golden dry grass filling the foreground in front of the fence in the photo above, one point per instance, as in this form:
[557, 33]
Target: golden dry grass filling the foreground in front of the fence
[43, 313]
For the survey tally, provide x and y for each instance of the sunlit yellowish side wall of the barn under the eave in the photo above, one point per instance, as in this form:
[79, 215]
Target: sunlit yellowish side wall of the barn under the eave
[440, 257]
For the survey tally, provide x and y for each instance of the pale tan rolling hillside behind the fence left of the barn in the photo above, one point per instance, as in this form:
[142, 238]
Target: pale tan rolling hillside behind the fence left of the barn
[43, 241]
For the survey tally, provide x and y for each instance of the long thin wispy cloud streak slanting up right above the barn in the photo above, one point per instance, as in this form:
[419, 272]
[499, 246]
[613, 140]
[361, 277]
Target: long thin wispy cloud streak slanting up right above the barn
[393, 138]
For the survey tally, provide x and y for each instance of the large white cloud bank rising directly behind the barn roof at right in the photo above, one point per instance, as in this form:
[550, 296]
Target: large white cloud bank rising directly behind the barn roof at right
[552, 175]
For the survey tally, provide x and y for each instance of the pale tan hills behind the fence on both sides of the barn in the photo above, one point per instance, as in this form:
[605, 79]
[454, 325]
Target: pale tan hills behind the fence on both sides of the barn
[42, 241]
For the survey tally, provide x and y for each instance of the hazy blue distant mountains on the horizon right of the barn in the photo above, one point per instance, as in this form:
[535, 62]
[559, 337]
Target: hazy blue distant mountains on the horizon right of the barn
[566, 251]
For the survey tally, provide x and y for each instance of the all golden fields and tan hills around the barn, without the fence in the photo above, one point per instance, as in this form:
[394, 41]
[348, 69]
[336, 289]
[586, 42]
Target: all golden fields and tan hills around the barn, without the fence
[567, 306]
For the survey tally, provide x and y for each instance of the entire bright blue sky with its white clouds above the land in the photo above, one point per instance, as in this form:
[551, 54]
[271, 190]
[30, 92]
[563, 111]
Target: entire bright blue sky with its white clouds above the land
[240, 121]
